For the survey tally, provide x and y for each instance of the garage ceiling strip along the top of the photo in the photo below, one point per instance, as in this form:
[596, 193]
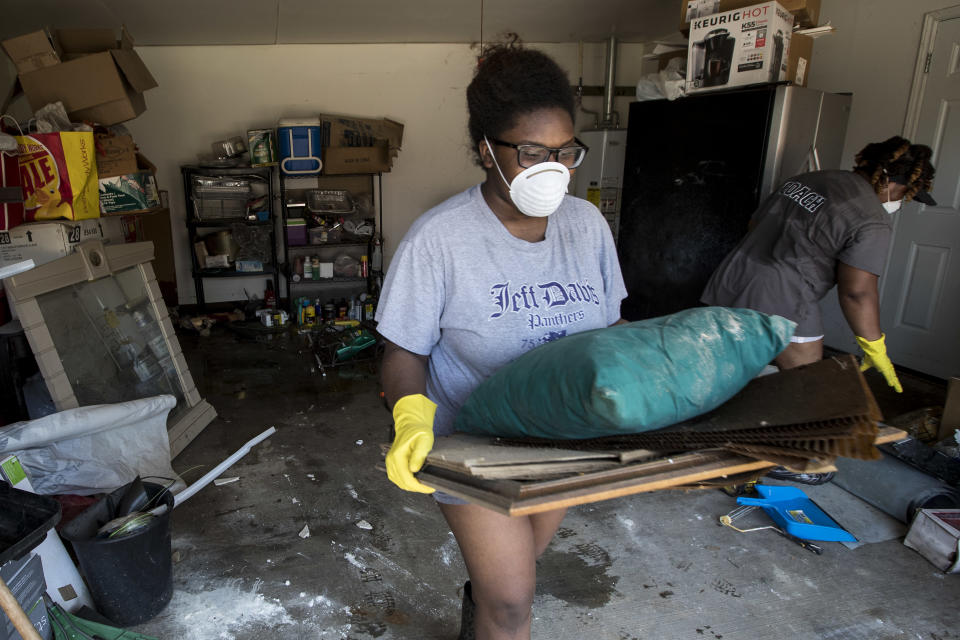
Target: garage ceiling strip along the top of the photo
[224, 22]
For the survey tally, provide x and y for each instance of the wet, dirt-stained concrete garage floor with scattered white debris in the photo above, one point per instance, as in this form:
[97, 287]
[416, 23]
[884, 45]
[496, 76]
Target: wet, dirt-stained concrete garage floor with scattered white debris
[652, 566]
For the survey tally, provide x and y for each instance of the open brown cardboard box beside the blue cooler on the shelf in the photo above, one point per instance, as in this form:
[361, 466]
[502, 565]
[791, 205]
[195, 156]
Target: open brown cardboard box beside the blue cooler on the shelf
[359, 145]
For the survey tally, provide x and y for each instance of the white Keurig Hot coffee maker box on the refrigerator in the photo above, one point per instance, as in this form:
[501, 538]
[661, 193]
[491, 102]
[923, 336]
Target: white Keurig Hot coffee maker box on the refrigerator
[739, 47]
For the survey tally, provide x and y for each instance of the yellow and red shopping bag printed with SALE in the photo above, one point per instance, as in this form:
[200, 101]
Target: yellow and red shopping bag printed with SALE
[59, 175]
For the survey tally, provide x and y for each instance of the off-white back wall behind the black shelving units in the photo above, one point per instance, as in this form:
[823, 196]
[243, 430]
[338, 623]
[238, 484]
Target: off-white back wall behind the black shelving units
[208, 93]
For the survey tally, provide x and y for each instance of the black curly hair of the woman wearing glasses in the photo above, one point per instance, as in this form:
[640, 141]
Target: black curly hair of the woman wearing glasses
[511, 80]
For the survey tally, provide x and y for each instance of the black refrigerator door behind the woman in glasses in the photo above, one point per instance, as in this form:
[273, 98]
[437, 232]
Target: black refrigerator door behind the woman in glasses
[692, 179]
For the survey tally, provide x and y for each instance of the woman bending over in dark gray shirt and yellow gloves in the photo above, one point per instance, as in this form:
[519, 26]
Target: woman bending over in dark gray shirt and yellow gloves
[823, 229]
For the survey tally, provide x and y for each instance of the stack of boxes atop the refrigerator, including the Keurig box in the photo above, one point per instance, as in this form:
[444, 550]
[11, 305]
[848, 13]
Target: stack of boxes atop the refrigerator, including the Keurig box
[739, 42]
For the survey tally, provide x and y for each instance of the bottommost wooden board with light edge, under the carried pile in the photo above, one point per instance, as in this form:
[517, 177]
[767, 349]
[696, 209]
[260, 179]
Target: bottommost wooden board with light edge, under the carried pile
[511, 497]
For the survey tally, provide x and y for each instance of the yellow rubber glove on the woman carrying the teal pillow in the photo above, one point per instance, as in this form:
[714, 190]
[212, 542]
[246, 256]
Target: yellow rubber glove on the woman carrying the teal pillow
[413, 424]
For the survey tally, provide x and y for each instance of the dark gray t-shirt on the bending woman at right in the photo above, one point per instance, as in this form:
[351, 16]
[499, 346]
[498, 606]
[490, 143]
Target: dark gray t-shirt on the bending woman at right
[788, 262]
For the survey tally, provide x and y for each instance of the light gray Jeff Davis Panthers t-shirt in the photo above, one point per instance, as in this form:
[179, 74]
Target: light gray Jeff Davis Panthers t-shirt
[473, 297]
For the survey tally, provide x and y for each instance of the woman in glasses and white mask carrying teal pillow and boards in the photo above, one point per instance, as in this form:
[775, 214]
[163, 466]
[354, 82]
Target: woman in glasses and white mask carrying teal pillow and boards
[505, 266]
